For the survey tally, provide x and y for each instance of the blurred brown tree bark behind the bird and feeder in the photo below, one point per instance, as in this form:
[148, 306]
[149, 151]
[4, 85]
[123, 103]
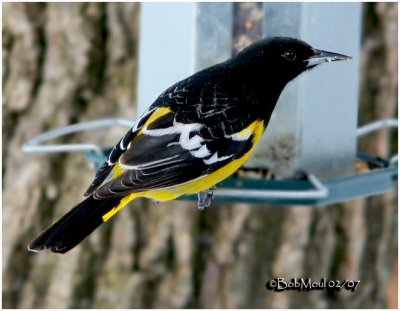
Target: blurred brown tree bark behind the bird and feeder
[68, 63]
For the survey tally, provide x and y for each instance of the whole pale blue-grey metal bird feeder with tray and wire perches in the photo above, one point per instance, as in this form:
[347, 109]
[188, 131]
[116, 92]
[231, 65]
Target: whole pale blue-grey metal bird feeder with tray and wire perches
[314, 126]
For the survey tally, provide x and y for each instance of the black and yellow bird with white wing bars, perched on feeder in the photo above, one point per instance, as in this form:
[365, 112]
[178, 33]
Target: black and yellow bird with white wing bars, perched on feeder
[195, 134]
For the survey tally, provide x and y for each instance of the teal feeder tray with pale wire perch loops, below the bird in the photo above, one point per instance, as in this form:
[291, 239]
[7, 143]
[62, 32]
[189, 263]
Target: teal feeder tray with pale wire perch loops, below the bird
[380, 177]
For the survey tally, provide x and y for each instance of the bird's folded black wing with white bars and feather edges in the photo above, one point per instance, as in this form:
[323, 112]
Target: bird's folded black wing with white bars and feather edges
[167, 153]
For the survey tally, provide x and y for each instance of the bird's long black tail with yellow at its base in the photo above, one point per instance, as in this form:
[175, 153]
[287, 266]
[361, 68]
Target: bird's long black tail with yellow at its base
[77, 224]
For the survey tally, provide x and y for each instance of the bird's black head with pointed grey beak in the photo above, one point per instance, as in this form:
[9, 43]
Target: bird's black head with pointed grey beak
[281, 59]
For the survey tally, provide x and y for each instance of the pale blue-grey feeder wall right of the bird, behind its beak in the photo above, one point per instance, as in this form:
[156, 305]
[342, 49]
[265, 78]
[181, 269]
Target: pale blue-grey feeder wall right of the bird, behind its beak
[313, 127]
